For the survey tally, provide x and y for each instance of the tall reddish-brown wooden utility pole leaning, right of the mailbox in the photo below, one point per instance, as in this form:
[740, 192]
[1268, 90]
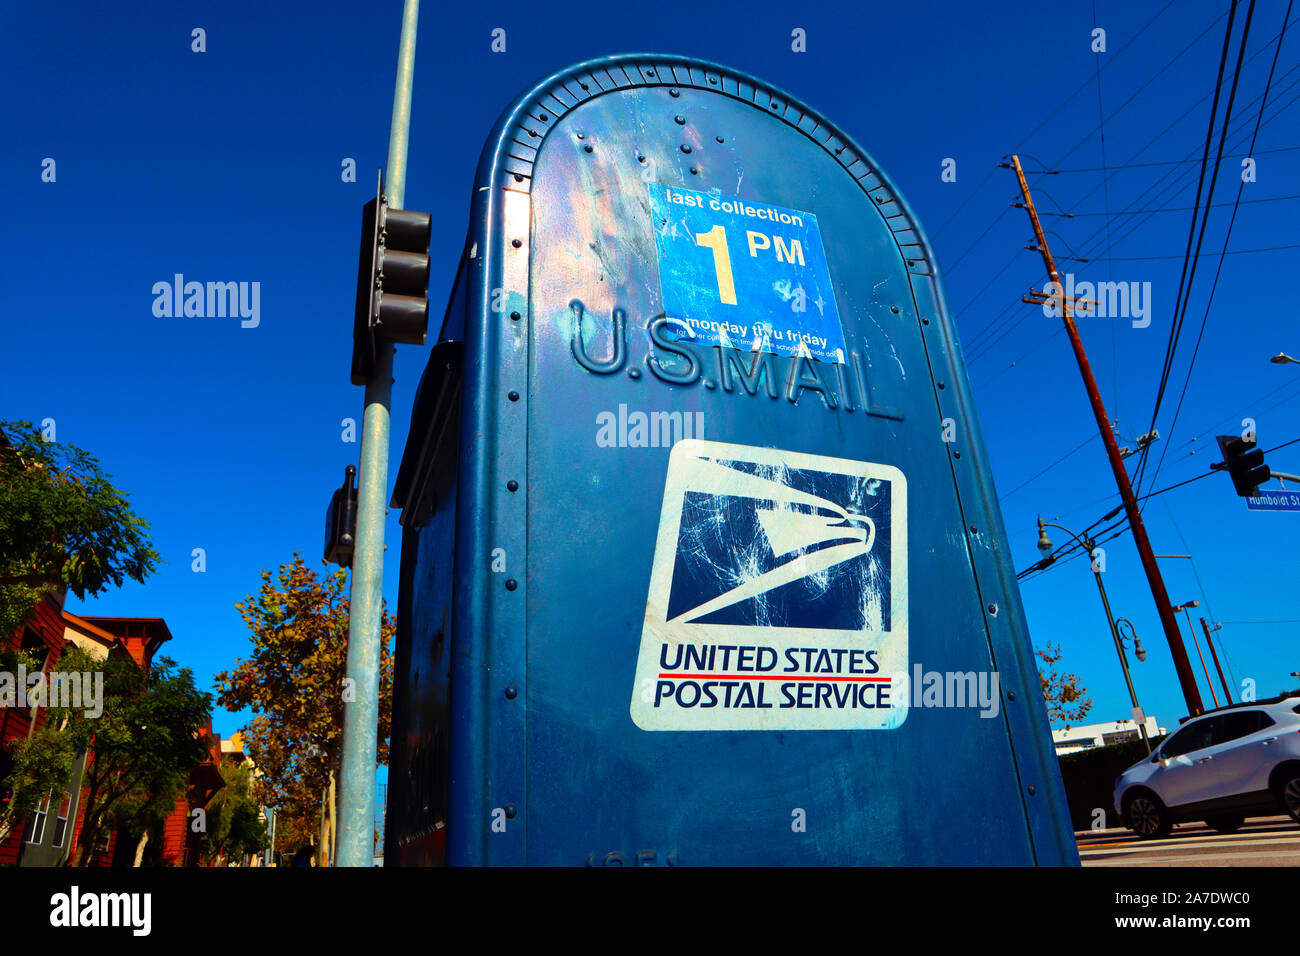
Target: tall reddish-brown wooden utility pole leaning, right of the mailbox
[1168, 620]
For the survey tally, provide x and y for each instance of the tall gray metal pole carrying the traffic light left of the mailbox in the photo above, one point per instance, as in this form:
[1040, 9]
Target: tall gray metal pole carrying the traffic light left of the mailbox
[362, 713]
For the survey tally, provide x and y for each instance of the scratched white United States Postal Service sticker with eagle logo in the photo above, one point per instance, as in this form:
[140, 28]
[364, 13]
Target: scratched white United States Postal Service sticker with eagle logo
[778, 595]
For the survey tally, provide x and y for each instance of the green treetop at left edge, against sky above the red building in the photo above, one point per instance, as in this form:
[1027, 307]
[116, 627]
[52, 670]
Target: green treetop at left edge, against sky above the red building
[62, 526]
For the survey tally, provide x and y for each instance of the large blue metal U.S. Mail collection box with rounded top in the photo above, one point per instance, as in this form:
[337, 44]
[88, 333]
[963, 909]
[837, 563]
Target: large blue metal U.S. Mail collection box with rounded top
[535, 503]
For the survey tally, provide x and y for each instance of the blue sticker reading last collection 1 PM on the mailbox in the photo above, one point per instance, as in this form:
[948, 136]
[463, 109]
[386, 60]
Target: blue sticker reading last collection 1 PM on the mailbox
[744, 275]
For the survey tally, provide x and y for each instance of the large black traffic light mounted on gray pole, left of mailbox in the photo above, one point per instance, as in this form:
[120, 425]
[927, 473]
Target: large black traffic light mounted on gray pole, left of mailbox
[392, 283]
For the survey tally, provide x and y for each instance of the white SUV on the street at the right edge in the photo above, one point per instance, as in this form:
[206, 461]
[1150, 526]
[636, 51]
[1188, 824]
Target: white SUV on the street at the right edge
[1224, 767]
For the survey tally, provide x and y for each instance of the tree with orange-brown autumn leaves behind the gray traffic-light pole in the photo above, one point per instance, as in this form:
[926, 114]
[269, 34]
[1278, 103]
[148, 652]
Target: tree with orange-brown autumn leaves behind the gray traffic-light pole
[294, 684]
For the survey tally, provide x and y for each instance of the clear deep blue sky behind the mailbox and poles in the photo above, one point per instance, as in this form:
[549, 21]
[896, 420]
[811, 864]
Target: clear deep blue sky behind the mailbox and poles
[226, 166]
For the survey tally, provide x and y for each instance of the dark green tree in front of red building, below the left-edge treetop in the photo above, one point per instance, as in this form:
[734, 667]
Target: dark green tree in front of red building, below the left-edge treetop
[150, 730]
